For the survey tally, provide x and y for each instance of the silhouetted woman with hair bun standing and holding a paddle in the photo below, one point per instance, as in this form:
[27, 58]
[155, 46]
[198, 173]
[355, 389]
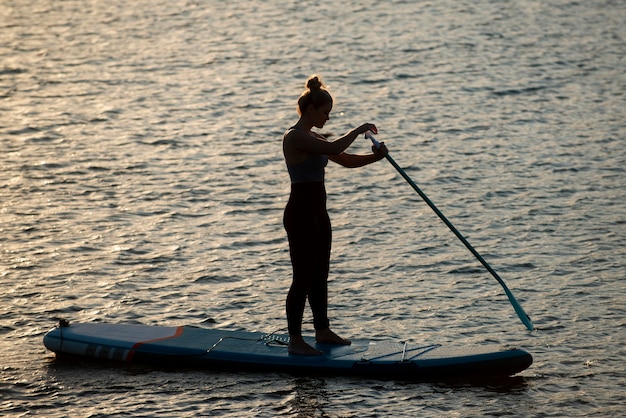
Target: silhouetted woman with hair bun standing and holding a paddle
[306, 219]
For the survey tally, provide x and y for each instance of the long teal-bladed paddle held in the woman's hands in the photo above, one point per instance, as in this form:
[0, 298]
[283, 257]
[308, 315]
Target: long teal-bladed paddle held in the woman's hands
[518, 308]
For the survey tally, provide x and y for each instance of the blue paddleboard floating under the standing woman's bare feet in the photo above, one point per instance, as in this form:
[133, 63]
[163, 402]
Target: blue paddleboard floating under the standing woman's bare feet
[188, 346]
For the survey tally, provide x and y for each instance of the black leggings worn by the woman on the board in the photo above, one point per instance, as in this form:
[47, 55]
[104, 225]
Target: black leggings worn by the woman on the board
[309, 232]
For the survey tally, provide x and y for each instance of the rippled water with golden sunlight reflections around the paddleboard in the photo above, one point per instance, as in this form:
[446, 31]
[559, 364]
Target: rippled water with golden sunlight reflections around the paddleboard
[142, 181]
